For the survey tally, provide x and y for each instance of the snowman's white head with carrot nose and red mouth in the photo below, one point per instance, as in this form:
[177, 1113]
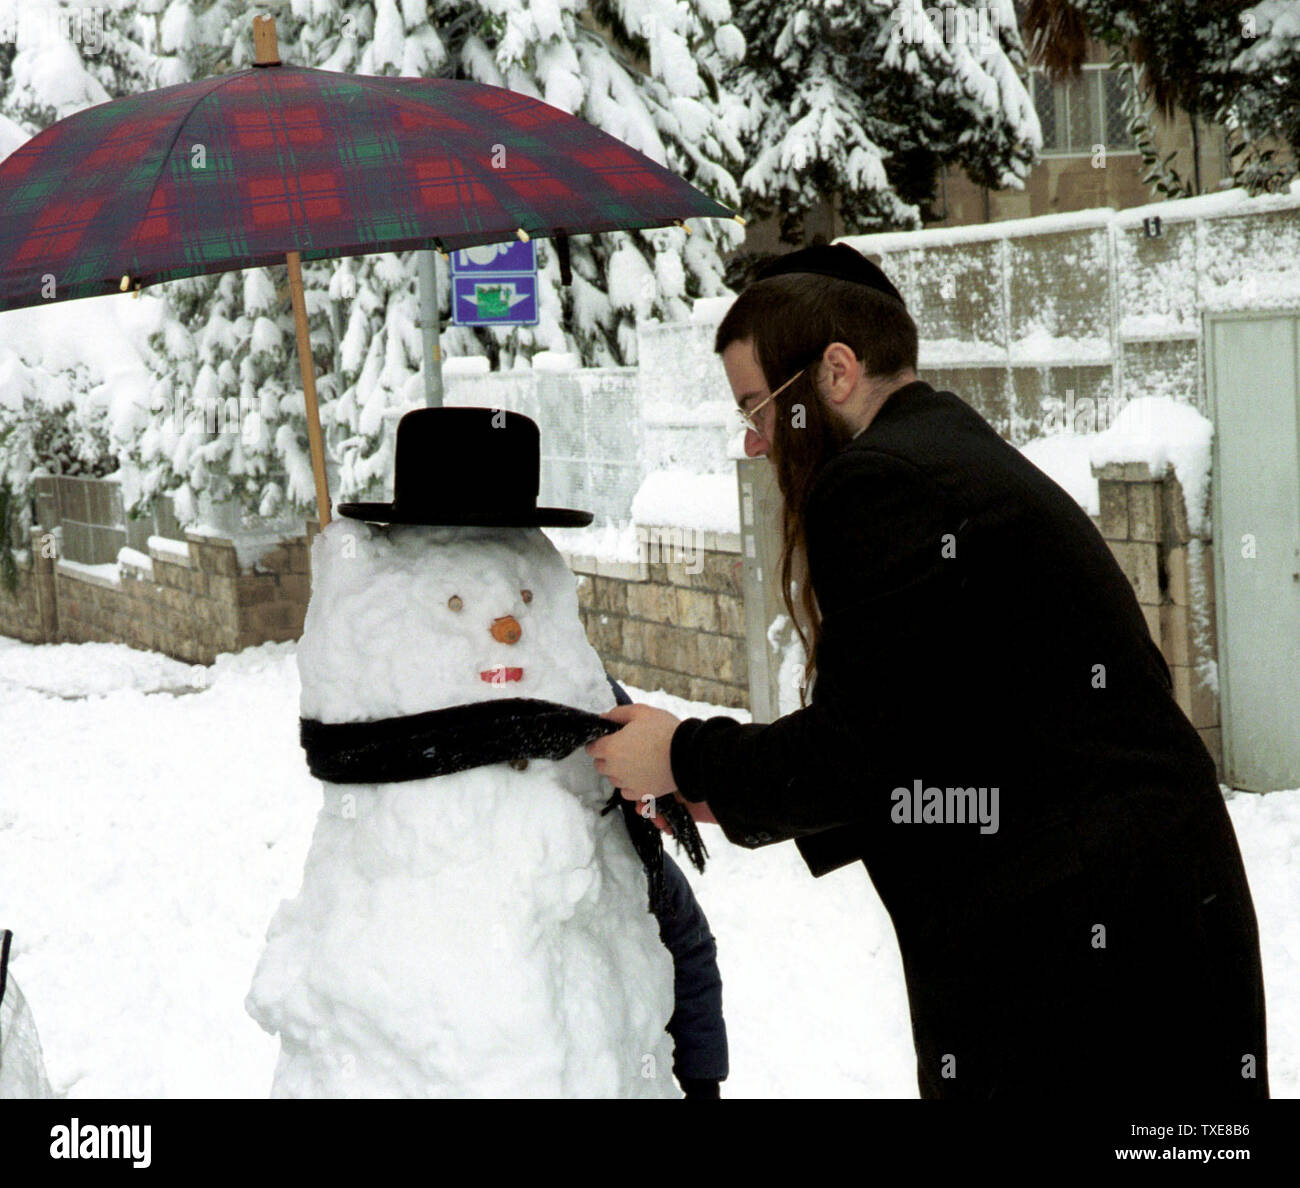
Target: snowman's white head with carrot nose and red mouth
[411, 618]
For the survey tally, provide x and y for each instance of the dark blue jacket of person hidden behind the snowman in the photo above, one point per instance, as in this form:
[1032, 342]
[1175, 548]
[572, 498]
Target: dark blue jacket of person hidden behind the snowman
[697, 1026]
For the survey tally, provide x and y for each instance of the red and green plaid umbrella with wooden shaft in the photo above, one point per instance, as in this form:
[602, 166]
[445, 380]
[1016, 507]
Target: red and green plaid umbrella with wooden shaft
[284, 163]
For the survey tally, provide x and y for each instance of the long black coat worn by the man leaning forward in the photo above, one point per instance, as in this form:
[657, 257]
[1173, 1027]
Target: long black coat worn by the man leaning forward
[980, 635]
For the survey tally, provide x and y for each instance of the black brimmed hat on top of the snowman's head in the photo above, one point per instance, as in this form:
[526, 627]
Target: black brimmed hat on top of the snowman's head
[465, 467]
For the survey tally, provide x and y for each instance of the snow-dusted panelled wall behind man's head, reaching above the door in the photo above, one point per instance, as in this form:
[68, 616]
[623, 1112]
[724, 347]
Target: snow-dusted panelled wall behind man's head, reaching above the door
[1025, 315]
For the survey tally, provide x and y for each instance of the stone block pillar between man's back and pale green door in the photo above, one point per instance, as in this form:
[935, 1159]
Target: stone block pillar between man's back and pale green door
[1143, 518]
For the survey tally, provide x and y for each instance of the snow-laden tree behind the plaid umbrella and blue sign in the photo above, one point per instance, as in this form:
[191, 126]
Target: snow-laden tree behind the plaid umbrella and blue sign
[365, 313]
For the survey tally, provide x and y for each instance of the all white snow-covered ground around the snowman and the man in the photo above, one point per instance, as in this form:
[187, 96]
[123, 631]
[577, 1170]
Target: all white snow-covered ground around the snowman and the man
[146, 840]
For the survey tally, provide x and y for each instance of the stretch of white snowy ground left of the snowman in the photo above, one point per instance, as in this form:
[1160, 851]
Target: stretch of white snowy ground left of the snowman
[146, 842]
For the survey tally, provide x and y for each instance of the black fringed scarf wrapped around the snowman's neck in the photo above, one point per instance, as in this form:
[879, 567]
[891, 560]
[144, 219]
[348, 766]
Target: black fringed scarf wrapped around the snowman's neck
[506, 731]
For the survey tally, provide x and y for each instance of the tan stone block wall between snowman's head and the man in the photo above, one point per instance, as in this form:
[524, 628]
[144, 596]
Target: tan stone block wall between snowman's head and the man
[674, 619]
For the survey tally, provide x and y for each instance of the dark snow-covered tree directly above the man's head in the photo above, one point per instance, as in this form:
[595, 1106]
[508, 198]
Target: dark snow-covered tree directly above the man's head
[865, 102]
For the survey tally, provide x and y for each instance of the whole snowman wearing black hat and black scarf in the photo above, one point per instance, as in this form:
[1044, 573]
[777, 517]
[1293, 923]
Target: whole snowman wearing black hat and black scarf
[470, 925]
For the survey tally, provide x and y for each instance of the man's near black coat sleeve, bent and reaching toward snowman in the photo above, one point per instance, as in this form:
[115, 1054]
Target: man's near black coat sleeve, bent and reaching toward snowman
[877, 534]
